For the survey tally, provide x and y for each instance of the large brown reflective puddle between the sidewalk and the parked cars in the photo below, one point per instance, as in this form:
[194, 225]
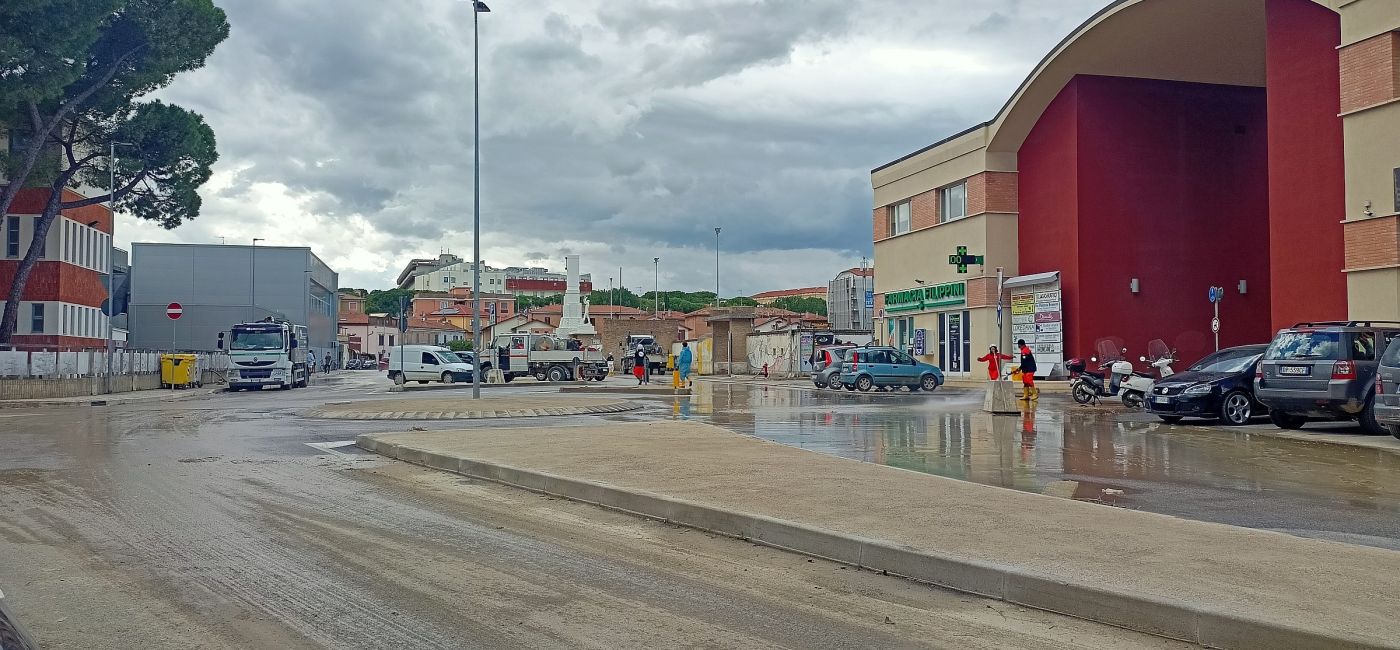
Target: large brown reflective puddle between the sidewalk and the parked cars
[1079, 453]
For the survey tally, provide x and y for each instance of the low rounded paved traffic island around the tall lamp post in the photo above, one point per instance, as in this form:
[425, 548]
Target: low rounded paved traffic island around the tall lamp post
[470, 410]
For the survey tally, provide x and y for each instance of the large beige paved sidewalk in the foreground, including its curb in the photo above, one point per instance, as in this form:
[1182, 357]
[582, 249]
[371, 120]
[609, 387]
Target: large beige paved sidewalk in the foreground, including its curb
[1206, 583]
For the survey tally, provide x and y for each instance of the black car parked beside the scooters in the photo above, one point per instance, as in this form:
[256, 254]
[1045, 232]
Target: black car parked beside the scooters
[1220, 386]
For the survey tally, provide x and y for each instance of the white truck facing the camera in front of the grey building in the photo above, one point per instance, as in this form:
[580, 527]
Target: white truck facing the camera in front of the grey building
[267, 354]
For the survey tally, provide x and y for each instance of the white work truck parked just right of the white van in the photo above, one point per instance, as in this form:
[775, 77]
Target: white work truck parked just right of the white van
[544, 357]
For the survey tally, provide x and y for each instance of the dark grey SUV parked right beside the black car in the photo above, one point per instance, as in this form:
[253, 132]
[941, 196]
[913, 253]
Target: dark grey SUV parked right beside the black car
[1324, 372]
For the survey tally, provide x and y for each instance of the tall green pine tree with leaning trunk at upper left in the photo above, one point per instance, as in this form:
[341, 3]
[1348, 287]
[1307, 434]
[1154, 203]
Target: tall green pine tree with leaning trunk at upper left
[83, 95]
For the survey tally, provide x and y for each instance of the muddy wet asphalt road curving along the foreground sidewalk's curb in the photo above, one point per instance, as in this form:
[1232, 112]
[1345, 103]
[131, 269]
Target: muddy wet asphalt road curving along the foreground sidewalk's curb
[230, 522]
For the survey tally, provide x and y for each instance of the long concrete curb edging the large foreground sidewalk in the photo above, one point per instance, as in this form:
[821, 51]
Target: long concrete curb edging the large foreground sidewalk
[1140, 613]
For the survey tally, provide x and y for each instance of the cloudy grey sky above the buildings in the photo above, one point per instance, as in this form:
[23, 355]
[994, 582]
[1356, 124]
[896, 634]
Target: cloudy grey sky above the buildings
[617, 131]
